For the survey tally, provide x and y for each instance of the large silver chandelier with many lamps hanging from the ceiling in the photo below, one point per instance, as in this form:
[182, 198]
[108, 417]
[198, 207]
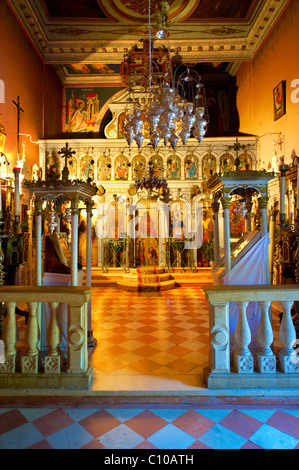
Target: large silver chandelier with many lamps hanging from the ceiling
[176, 105]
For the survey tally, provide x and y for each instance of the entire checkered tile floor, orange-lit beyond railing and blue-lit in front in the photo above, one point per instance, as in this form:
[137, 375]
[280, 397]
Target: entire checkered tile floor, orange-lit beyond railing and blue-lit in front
[158, 335]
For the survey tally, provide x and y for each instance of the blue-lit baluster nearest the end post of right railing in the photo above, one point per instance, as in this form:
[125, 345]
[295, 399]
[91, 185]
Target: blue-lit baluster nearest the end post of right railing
[243, 357]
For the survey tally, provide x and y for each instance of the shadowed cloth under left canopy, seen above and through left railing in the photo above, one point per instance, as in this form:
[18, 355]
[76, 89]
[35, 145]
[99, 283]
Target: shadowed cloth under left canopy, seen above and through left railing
[57, 279]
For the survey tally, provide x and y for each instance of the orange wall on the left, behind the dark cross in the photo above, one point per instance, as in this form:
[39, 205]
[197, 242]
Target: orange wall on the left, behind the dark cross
[40, 91]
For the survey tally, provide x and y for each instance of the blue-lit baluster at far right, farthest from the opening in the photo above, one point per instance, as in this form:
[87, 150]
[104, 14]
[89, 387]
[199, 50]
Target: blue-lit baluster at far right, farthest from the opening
[287, 336]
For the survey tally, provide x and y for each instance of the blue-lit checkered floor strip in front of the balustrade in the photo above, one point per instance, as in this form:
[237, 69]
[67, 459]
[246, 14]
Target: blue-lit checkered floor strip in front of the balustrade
[172, 427]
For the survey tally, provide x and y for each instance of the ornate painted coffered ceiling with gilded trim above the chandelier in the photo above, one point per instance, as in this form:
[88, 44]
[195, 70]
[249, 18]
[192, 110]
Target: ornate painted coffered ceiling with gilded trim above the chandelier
[89, 38]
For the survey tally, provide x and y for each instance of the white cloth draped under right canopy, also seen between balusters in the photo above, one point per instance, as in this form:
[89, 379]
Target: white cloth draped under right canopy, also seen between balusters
[252, 269]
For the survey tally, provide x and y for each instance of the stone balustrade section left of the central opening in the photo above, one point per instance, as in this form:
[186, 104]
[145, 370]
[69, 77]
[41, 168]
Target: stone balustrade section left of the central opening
[25, 367]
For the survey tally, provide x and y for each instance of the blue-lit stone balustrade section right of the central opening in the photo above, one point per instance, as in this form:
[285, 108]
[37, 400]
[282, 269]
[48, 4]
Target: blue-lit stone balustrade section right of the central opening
[244, 368]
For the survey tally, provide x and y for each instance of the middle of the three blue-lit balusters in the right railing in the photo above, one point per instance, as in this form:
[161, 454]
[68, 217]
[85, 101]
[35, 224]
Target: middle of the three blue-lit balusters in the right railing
[266, 360]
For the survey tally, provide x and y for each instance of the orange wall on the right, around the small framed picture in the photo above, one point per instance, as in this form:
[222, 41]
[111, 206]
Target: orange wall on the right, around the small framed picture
[277, 60]
